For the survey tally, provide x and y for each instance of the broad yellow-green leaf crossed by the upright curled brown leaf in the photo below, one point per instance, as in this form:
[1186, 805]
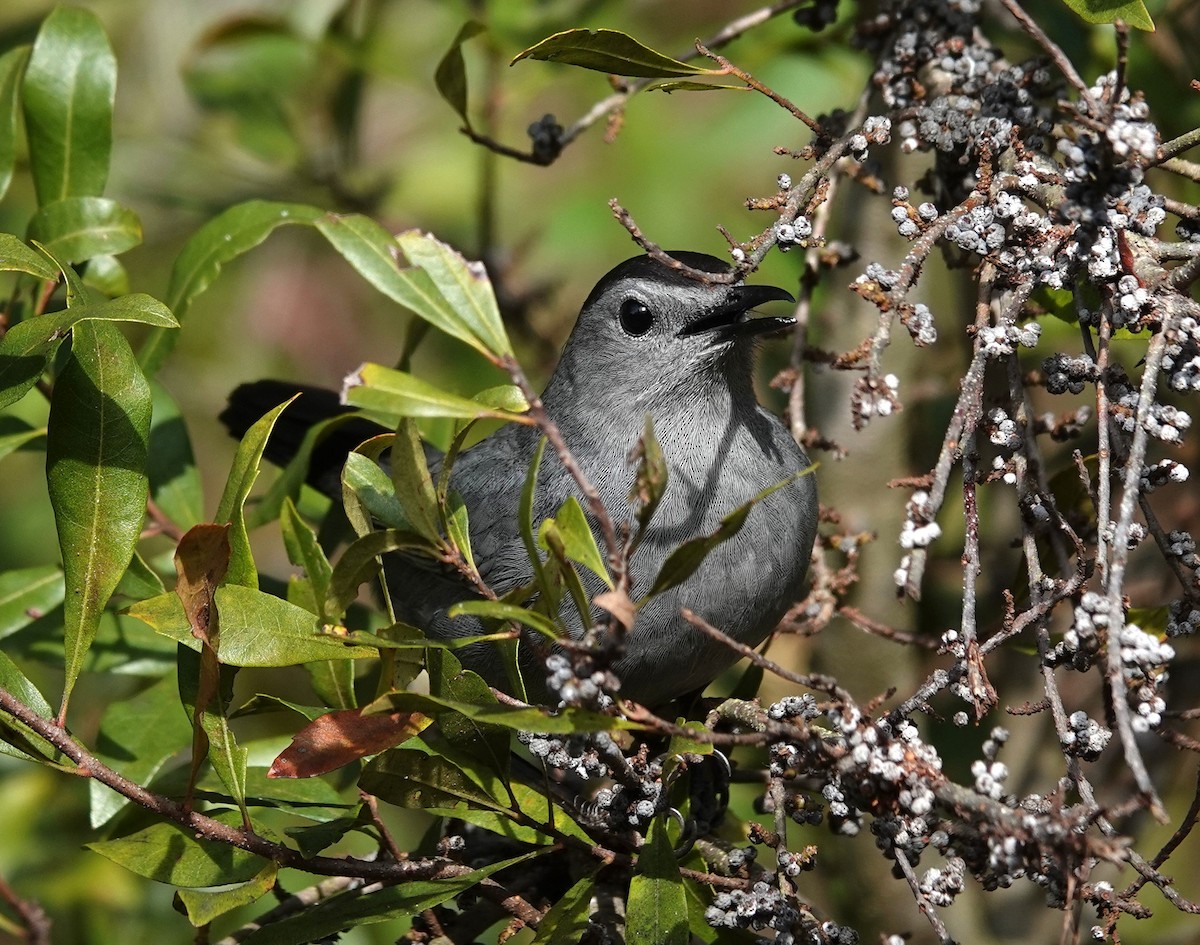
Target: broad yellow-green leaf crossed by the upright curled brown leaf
[257, 629]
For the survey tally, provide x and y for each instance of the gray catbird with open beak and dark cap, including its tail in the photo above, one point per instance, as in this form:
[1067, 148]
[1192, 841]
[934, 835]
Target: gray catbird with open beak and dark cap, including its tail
[649, 341]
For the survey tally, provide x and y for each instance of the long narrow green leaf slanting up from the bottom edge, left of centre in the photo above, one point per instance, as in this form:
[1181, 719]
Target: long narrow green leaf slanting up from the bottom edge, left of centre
[352, 910]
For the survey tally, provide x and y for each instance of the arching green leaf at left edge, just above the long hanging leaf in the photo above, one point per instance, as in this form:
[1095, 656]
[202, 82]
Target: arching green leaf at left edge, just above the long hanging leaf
[27, 347]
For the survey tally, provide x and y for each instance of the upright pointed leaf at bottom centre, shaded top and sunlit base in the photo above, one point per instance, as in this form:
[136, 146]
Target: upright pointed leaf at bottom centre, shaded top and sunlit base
[657, 913]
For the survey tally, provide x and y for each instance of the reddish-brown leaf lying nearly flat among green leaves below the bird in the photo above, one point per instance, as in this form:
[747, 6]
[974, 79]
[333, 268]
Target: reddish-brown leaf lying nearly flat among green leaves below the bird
[339, 738]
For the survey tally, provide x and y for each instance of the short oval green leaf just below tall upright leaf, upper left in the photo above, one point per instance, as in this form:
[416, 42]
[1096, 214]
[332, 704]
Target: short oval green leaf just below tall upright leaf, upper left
[79, 228]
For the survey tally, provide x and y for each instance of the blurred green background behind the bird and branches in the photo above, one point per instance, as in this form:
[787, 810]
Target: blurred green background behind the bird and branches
[334, 104]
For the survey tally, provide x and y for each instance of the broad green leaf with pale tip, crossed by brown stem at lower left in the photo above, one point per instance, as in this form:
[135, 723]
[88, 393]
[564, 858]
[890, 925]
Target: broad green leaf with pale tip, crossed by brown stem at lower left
[137, 750]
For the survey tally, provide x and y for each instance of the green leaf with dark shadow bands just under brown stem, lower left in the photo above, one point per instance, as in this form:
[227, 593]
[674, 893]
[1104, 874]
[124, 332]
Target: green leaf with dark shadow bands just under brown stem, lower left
[170, 853]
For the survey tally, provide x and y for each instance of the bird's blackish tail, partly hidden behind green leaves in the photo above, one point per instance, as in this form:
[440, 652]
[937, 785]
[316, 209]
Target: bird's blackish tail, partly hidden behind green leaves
[250, 402]
